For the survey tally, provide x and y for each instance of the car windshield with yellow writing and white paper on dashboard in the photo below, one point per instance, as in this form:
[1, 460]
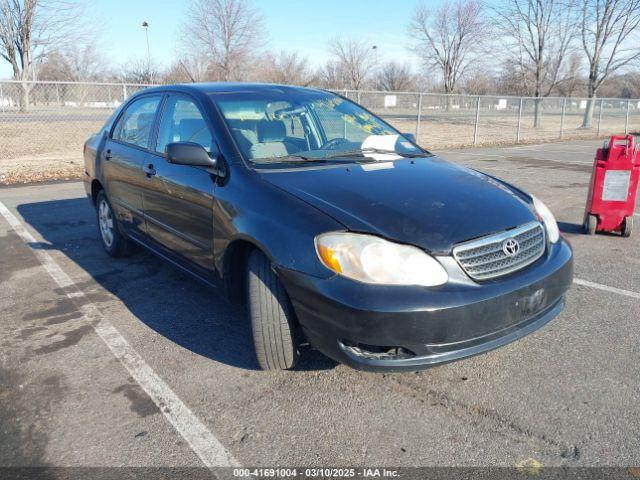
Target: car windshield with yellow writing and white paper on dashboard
[274, 128]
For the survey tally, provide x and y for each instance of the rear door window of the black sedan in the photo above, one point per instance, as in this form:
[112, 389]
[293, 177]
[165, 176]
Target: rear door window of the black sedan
[134, 127]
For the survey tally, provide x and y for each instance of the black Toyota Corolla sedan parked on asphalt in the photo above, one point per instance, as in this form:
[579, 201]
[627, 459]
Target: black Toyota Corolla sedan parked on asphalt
[335, 229]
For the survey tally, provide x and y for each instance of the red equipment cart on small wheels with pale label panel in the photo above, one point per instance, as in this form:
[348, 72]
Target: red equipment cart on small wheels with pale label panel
[613, 187]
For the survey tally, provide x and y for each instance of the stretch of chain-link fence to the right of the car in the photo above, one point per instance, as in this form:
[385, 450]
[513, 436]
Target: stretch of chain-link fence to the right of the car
[452, 121]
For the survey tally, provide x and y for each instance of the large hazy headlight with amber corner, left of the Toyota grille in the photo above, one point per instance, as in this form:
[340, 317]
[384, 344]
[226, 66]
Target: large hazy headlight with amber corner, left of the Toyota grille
[371, 259]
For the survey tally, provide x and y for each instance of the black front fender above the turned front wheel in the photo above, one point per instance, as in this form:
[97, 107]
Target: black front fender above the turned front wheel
[250, 209]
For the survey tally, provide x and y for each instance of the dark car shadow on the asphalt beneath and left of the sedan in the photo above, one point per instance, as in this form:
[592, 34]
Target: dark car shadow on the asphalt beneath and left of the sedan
[167, 300]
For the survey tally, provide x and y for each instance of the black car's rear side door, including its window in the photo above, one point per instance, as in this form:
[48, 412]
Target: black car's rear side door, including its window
[123, 156]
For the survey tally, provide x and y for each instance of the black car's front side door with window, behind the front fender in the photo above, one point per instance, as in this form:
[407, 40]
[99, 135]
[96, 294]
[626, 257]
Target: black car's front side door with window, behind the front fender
[178, 199]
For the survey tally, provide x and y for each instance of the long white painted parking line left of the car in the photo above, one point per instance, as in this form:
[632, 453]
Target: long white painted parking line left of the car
[200, 439]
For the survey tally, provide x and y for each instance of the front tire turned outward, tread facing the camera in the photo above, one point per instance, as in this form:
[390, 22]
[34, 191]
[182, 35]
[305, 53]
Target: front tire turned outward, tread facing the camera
[271, 316]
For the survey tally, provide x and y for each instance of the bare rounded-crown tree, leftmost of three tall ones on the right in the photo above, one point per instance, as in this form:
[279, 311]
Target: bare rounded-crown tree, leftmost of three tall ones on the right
[449, 38]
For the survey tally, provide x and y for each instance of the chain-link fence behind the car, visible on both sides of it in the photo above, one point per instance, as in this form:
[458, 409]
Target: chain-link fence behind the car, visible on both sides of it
[43, 125]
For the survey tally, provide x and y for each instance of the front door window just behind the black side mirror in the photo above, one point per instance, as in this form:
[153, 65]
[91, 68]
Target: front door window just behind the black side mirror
[183, 122]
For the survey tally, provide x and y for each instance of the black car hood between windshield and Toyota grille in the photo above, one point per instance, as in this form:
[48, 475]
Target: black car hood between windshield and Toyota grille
[425, 202]
